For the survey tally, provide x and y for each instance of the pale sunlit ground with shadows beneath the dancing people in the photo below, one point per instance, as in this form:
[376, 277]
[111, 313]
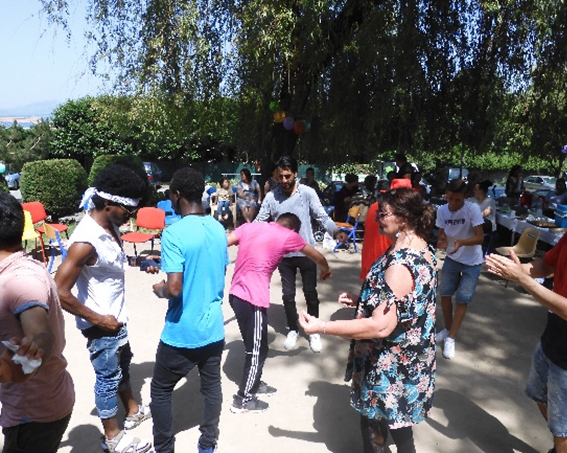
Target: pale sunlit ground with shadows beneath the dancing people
[479, 403]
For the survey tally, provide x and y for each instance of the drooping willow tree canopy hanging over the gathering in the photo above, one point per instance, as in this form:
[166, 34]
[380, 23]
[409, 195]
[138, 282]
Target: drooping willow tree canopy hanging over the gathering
[366, 77]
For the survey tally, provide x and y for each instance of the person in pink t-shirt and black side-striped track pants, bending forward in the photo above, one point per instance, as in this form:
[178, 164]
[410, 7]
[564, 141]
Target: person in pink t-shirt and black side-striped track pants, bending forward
[261, 247]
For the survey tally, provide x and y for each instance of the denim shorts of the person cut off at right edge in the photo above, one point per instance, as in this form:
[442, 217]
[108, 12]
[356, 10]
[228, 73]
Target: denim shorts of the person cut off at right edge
[547, 384]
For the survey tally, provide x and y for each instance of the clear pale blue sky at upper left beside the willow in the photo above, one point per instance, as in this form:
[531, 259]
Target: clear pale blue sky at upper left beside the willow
[38, 63]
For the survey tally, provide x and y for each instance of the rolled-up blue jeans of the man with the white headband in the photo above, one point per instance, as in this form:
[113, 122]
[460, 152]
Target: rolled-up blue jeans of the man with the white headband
[110, 357]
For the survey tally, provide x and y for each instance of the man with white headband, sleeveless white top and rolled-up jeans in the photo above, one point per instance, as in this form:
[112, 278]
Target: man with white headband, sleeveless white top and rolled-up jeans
[96, 264]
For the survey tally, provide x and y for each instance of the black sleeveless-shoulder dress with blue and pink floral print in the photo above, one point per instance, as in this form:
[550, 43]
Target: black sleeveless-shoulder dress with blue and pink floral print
[394, 378]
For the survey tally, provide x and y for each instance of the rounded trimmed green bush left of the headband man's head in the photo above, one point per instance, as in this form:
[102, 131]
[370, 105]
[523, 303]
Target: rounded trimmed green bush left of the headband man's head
[58, 183]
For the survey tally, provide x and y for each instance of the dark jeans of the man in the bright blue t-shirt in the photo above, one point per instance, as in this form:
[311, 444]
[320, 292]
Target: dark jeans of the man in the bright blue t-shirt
[173, 364]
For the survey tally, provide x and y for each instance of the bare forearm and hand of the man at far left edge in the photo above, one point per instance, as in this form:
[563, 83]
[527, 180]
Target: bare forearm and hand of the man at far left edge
[37, 343]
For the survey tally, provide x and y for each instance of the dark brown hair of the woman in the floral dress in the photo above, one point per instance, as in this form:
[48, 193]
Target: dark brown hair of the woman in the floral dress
[409, 205]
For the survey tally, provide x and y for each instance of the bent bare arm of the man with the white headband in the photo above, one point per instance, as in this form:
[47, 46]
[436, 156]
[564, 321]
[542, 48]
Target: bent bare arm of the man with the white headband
[79, 256]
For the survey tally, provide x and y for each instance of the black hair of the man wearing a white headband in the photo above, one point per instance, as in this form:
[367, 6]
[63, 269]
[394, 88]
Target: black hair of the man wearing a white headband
[121, 181]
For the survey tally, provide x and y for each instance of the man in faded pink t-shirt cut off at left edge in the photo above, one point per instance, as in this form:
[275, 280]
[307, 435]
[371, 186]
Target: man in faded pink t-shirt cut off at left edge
[36, 402]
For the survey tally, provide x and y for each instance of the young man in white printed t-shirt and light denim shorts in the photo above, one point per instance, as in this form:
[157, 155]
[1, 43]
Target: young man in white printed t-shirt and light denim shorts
[461, 233]
